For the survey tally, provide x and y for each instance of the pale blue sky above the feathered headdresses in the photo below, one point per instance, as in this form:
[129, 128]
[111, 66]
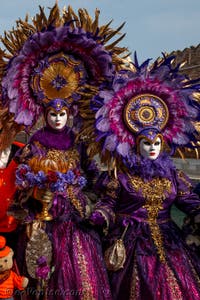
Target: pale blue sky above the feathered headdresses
[152, 26]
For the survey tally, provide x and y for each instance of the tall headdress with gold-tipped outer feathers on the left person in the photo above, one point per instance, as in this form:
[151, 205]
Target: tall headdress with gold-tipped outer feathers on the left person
[55, 57]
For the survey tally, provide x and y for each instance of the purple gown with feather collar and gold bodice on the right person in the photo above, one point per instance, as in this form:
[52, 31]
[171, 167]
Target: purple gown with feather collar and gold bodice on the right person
[159, 264]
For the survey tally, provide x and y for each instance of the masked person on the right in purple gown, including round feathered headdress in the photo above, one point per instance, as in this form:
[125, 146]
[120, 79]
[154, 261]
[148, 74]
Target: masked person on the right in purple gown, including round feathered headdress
[140, 121]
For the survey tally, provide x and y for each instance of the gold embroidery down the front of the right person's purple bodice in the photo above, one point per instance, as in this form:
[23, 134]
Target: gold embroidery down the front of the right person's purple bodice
[154, 191]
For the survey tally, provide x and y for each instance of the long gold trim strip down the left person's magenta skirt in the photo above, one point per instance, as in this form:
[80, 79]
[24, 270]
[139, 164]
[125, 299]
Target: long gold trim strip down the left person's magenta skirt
[86, 287]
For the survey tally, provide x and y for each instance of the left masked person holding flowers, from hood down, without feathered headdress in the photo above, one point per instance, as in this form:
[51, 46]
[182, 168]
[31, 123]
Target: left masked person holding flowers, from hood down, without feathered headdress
[56, 172]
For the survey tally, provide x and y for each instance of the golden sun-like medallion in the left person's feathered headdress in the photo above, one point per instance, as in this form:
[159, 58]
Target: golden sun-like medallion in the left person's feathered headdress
[59, 77]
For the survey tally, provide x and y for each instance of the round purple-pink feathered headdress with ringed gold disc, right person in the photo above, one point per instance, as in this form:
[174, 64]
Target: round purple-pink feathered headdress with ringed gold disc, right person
[156, 97]
